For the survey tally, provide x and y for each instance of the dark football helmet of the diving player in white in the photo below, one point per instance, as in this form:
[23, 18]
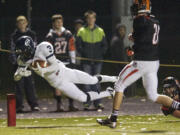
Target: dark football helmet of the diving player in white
[26, 47]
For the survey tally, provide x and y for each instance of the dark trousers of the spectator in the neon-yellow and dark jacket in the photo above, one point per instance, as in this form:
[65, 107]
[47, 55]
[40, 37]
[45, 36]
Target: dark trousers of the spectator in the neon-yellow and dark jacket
[93, 69]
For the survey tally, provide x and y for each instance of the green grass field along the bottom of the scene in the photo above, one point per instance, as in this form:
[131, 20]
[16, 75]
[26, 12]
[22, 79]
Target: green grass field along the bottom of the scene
[127, 125]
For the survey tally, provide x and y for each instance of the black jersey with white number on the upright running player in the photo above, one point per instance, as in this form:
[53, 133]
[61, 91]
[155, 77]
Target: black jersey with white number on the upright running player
[146, 37]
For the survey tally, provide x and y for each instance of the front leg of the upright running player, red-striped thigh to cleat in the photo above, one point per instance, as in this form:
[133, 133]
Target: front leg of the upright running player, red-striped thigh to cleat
[127, 76]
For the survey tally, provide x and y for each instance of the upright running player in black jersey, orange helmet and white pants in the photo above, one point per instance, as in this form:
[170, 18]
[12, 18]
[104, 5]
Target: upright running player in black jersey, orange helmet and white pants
[145, 64]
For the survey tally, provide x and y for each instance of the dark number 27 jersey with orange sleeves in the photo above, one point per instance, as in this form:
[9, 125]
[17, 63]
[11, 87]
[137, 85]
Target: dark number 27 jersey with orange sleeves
[62, 43]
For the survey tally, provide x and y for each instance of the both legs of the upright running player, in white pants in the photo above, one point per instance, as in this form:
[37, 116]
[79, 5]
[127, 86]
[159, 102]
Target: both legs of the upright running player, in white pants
[150, 82]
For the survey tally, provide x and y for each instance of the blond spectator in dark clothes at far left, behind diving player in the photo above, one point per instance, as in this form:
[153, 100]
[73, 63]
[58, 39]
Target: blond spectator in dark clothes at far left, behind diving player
[26, 83]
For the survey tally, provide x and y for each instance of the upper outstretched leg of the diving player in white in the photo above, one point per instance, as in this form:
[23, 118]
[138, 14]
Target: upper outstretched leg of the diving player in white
[80, 77]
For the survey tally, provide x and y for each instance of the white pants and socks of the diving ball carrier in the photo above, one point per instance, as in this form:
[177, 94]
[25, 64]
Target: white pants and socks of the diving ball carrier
[70, 77]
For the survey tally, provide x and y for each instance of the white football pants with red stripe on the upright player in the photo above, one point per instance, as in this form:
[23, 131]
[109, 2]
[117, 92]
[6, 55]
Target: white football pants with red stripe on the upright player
[137, 69]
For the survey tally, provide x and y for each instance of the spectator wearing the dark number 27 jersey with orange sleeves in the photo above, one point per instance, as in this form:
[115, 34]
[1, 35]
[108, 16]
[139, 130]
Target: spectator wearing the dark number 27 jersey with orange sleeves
[64, 49]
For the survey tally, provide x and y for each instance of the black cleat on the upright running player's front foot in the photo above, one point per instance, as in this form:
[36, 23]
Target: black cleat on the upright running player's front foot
[107, 122]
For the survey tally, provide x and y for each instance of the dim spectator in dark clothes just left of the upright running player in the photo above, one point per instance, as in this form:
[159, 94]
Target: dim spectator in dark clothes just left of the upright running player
[117, 49]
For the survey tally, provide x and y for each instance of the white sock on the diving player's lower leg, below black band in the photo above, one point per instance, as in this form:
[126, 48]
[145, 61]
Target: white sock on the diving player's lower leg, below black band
[94, 95]
